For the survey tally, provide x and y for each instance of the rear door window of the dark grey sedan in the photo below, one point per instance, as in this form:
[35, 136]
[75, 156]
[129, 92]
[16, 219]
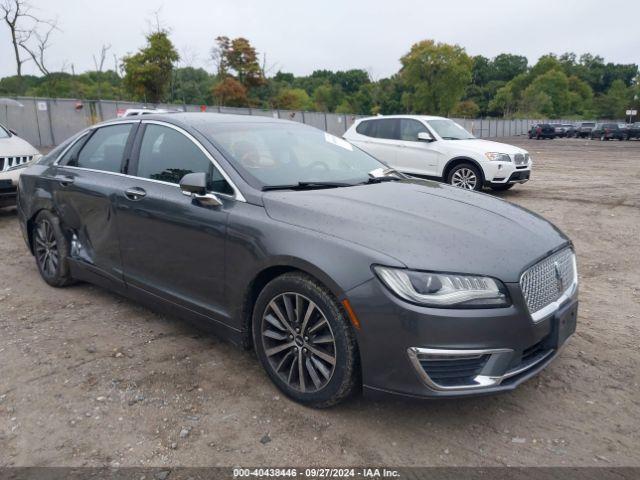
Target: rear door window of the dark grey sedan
[104, 150]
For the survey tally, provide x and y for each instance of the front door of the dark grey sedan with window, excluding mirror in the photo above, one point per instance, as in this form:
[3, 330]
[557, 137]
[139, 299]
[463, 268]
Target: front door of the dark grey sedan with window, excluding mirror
[172, 246]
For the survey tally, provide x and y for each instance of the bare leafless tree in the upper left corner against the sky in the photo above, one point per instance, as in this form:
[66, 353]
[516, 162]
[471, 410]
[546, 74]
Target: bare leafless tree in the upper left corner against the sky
[25, 29]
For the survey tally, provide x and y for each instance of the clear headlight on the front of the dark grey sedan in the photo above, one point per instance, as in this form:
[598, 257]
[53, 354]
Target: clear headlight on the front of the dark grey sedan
[444, 289]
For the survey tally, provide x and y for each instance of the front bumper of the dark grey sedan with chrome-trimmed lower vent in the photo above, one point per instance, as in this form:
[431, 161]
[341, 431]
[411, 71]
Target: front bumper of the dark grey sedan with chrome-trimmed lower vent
[434, 353]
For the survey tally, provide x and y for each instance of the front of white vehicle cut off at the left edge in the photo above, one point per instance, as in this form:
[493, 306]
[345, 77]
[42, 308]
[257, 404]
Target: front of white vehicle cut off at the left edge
[15, 154]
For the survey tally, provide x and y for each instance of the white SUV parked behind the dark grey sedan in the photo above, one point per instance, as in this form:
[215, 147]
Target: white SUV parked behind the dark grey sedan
[437, 147]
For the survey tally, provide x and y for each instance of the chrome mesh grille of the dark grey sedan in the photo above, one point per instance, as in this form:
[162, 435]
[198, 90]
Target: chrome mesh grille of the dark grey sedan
[547, 280]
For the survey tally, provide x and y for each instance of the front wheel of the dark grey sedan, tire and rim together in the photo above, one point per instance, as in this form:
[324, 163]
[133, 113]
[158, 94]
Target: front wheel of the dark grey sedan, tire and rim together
[280, 347]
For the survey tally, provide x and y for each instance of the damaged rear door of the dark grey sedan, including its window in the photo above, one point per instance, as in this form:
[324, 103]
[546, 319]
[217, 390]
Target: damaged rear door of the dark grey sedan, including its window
[87, 178]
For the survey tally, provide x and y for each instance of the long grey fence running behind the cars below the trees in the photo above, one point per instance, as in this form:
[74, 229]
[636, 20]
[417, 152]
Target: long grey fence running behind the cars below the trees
[46, 122]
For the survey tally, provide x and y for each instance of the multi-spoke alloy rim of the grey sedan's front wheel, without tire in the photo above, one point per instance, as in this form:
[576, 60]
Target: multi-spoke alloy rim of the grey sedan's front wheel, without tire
[298, 342]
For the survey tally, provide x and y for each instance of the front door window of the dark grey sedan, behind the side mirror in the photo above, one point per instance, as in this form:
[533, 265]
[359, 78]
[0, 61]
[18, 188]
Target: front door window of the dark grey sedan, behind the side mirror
[167, 155]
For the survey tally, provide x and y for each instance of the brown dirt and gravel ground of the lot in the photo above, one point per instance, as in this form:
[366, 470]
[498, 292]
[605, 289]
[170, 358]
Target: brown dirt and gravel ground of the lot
[89, 378]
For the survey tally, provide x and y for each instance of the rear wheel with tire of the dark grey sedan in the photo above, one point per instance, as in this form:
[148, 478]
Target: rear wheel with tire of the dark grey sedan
[51, 250]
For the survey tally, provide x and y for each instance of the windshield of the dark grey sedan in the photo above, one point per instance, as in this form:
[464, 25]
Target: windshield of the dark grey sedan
[276, 154]
